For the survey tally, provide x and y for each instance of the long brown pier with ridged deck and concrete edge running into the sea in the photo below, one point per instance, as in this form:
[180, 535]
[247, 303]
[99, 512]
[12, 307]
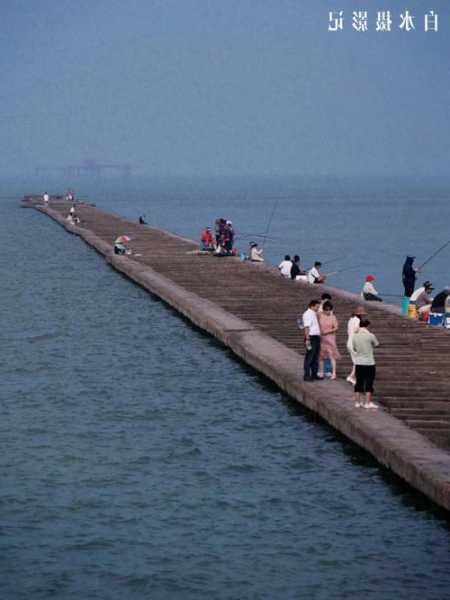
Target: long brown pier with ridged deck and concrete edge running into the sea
[253, 311]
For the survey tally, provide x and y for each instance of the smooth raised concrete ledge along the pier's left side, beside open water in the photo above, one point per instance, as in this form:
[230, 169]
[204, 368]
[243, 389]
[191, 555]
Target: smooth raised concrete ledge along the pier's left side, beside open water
[406, 452]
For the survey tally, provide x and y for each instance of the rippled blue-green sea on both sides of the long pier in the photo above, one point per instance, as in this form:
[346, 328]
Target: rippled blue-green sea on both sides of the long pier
[139, 459]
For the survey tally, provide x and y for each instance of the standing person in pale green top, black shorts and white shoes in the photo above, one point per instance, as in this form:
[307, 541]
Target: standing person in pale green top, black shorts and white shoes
[363, 344]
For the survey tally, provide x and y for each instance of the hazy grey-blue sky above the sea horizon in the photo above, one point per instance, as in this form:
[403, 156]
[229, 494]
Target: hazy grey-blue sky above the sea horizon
[224, 87]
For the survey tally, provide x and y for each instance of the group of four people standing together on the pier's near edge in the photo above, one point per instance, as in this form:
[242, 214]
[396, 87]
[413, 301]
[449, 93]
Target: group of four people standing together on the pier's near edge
[320, 326]
